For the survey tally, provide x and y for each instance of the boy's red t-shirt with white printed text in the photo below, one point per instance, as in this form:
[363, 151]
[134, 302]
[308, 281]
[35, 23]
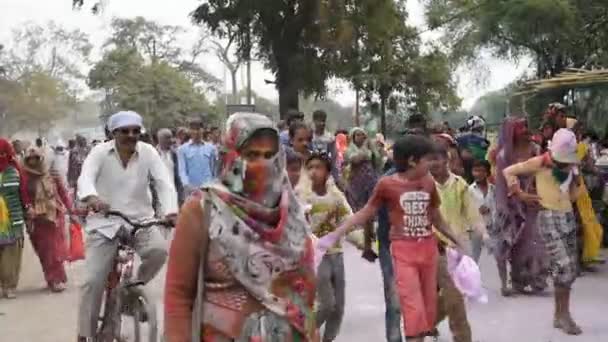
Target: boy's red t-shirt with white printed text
[409, 204]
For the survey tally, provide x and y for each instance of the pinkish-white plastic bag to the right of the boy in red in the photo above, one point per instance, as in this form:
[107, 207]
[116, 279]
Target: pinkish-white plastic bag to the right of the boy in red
[466, 276]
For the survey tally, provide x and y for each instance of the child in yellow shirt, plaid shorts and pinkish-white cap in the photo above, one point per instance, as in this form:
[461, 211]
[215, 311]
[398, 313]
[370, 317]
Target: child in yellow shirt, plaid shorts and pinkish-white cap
[557, 185]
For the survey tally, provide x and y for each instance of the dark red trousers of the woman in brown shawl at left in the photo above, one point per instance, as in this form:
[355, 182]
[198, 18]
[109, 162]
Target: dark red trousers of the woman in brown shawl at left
[48, 240]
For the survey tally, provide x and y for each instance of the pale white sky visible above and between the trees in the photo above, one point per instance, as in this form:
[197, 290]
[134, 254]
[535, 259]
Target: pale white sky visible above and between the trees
[494, 73]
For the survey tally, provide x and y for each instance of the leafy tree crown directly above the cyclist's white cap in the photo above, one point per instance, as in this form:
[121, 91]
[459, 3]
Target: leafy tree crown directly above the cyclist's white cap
[144, 69]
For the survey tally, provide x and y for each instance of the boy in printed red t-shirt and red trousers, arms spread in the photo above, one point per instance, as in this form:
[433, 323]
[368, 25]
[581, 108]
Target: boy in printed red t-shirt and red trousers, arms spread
[413, 203]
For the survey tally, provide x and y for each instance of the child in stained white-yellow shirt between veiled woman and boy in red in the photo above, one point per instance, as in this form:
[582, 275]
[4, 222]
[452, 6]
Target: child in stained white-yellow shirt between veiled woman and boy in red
[327, 209]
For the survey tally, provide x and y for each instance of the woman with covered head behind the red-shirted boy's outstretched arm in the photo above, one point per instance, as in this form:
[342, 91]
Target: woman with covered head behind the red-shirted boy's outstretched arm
[363, 166]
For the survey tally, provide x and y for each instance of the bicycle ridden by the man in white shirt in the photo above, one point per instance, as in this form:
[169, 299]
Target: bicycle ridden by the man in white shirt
[124, 297]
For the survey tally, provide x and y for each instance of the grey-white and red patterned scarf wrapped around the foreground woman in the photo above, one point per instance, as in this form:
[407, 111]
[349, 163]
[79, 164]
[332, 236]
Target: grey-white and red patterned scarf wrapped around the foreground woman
[266, 241]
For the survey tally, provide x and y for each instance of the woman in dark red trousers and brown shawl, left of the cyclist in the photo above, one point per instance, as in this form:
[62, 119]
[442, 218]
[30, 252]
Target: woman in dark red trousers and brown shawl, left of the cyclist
[50, 203]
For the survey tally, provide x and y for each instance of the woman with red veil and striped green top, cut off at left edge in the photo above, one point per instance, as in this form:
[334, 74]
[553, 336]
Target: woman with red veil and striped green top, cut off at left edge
[14, 204]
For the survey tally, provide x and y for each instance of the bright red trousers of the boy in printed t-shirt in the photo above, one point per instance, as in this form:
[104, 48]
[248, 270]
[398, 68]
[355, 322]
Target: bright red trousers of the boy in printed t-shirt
[415, 265]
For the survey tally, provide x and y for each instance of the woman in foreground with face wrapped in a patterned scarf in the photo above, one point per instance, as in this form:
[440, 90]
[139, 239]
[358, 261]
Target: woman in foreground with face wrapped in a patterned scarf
[242, 256]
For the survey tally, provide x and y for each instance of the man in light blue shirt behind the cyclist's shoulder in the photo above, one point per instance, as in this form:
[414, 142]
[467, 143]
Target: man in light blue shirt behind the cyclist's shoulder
[196, 159]
